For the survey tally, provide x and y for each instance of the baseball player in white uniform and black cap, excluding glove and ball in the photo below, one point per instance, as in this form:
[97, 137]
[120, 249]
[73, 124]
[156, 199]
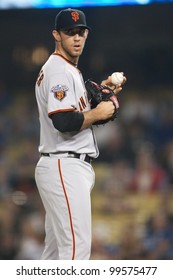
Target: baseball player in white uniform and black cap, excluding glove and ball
[64, 174]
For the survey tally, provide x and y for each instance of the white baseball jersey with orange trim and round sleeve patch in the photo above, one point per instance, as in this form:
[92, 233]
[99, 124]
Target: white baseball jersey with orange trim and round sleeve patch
[60, 88]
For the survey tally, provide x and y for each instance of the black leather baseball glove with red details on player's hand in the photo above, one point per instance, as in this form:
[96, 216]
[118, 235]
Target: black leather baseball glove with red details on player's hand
[98, 93]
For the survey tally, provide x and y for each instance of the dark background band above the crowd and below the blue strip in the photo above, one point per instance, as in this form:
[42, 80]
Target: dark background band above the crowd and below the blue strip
[135, 39]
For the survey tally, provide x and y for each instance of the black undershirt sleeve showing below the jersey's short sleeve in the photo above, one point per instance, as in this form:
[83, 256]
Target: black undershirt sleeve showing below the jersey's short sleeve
[67, 121]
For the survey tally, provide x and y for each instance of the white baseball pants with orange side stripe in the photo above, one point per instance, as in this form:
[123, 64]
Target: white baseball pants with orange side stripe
[65, 185]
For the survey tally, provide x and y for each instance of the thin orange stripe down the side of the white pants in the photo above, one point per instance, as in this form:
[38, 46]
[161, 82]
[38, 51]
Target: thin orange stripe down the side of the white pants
[69, 210]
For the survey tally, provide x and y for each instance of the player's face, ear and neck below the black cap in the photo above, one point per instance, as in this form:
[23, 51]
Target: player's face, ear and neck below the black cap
[71, 42]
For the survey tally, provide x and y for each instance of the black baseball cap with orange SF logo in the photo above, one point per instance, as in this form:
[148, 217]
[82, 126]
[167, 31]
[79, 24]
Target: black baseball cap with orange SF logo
[70, 18]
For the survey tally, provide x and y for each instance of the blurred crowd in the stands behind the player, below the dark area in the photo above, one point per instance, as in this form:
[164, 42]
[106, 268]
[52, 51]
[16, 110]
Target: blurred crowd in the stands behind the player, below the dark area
[136, 158]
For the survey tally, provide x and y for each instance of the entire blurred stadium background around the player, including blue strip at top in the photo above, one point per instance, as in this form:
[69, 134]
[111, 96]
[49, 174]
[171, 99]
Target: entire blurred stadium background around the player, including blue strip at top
[132, 201]
